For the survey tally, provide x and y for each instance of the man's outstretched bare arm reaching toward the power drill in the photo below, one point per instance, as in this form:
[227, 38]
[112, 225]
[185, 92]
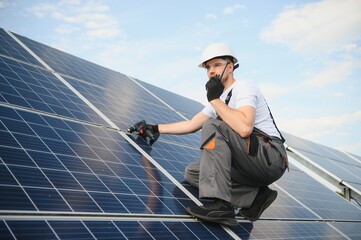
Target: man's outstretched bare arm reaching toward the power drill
[184, 127]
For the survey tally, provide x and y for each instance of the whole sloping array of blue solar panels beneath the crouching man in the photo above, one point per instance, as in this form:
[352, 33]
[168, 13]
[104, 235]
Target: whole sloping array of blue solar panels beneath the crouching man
[69, 171]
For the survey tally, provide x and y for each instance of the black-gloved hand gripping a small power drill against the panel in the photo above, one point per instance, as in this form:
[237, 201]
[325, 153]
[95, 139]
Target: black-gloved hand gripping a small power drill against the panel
[149, 133]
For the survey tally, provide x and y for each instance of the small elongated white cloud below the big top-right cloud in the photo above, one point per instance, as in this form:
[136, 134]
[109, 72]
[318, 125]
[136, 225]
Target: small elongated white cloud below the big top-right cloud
[337, 72]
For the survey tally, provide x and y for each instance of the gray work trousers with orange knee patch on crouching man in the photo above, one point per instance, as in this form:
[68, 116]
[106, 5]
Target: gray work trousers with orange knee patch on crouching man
[227, 171]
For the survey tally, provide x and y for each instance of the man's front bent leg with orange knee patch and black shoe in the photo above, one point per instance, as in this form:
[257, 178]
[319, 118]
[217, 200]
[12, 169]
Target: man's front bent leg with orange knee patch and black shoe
[214, 177]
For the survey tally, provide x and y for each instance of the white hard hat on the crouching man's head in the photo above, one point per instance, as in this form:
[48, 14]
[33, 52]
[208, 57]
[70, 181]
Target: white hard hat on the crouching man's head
[217, 50]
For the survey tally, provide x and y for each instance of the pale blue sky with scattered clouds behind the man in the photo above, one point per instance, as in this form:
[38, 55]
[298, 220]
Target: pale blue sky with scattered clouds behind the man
[303, 55]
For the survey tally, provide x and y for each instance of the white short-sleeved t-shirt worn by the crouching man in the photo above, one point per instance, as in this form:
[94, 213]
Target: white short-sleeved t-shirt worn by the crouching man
[245, 93]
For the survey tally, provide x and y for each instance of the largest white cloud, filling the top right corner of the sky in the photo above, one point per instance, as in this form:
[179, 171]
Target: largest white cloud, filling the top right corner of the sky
[323, 26]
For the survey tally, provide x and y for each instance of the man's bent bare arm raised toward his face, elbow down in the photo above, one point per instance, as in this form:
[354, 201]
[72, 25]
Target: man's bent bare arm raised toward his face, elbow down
[241, 120]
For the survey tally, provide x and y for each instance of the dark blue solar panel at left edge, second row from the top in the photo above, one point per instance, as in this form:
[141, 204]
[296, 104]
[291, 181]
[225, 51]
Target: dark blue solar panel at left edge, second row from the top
[38, 89]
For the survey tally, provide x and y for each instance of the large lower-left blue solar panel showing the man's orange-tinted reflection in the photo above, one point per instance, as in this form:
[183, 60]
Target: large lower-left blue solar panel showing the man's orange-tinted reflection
[65, 169]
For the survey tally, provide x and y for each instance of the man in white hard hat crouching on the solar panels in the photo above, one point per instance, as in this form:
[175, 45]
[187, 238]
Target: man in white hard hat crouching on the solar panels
[241, 150]
